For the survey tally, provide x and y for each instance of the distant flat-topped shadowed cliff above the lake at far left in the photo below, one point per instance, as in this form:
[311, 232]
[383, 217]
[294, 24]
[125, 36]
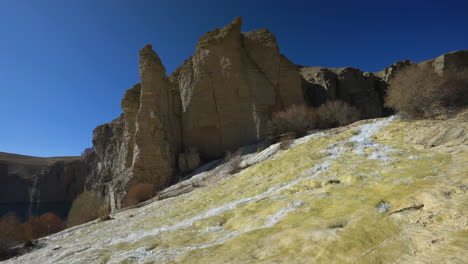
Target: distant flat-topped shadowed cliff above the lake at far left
[25, 179]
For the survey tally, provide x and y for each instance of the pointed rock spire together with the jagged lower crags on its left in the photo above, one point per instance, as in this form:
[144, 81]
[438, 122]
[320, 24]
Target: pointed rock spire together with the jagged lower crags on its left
[142, 144]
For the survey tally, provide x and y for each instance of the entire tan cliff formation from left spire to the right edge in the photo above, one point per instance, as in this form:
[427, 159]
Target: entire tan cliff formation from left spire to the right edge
[220, 99]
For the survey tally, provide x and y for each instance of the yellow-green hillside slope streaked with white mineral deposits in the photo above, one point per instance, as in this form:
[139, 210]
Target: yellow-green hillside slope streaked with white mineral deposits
[377, 191]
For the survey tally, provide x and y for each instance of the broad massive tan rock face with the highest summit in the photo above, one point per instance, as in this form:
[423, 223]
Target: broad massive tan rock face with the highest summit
[230, 87]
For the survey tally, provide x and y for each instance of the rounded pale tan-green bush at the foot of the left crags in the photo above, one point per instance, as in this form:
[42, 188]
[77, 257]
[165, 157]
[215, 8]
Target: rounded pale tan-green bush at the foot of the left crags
[84, 208]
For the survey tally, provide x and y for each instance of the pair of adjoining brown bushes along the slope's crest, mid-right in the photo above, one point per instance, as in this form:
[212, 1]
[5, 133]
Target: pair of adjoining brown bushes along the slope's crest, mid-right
[297, 120]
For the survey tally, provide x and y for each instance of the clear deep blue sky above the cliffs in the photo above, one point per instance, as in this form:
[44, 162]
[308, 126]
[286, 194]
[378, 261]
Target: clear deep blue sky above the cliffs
[64, 65]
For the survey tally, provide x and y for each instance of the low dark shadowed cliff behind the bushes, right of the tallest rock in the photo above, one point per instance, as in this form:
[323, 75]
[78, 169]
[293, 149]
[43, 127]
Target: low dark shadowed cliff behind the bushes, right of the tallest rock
[366, 90]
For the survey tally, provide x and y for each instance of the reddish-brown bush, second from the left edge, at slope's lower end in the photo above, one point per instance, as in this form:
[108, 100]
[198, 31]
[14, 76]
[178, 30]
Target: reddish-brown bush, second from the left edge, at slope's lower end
[44, 225]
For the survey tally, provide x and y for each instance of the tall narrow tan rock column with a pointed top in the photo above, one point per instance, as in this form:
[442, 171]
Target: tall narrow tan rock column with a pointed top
[155, 149]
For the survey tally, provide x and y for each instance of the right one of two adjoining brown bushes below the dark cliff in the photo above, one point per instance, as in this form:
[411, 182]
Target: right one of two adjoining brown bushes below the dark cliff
[336, 113]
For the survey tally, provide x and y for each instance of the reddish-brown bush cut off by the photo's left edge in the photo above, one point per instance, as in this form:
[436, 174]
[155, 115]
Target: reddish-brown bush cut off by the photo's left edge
[12, 234]
